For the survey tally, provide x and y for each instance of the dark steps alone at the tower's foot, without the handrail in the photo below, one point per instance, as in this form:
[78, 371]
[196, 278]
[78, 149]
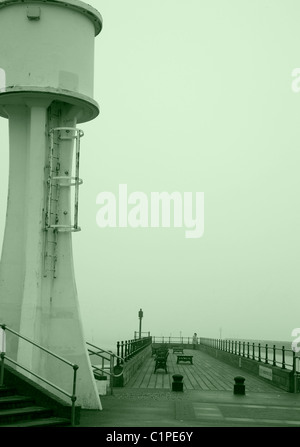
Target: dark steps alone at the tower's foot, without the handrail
[22, 411]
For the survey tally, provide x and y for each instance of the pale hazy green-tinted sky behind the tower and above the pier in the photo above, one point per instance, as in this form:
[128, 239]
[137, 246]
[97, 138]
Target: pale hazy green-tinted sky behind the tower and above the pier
[195, 96]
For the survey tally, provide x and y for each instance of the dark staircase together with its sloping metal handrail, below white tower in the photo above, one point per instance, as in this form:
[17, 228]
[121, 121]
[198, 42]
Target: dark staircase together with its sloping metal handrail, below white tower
[26, 403]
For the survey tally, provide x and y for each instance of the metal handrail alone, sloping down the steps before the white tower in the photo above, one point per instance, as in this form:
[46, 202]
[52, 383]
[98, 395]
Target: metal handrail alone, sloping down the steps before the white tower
[75, 367]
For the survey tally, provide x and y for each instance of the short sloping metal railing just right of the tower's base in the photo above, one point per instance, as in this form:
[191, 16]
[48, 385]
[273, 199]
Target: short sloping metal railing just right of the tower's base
[108, 362]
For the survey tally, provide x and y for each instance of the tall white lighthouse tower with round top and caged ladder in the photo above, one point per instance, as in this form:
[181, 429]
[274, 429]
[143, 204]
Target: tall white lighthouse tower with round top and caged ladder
[46, 91]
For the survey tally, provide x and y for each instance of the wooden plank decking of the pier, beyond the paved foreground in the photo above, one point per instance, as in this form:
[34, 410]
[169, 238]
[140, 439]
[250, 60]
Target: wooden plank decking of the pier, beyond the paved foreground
[206, 373]
